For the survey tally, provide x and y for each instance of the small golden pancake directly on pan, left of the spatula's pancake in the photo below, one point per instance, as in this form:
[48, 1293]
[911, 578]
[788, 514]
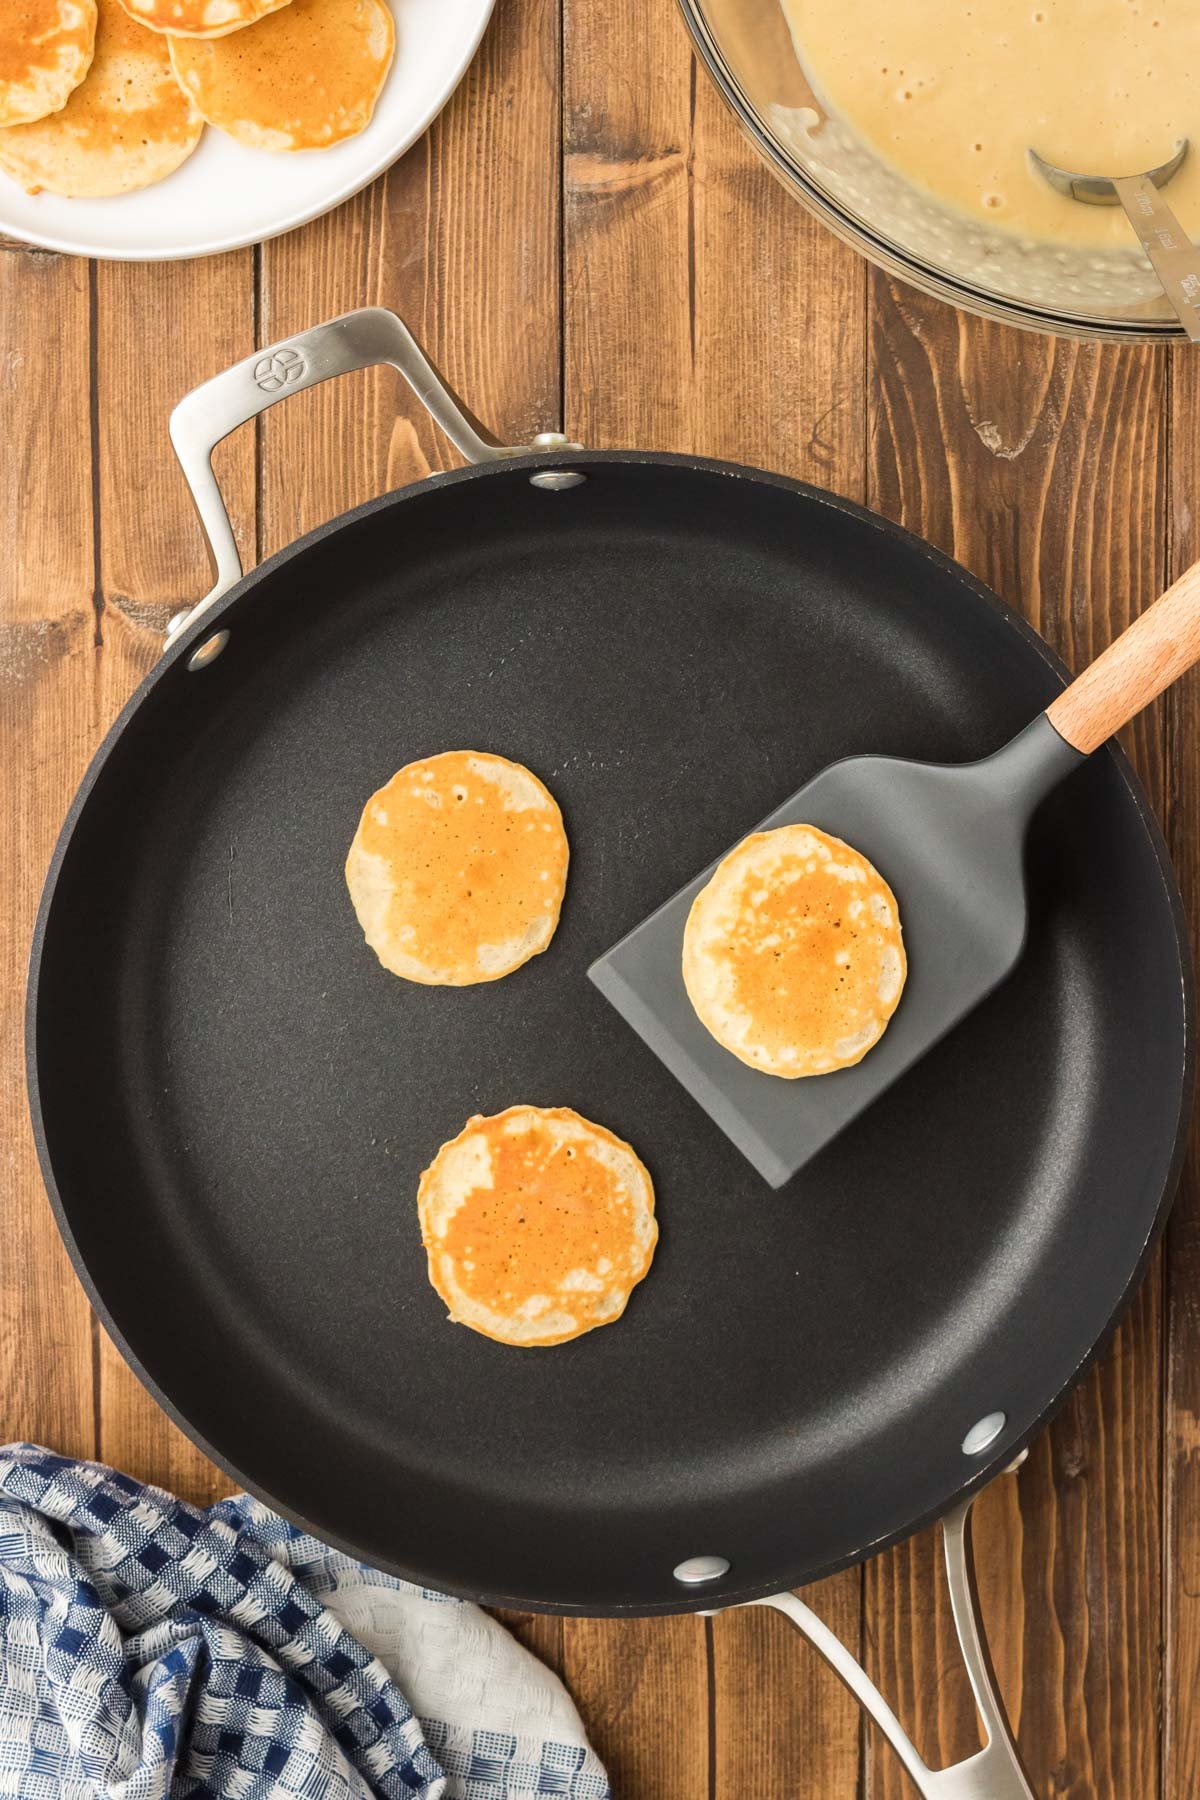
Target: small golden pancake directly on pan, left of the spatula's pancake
[458, 868]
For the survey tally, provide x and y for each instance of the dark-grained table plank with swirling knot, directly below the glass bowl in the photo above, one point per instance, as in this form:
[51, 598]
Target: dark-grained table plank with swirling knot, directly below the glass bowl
[1043, 467]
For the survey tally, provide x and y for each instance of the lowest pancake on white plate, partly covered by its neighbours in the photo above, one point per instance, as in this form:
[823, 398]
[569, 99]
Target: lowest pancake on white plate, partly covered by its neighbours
[127, 127]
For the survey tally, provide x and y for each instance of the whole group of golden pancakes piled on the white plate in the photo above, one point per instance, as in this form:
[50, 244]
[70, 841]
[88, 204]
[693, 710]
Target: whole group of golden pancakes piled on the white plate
[105, 96]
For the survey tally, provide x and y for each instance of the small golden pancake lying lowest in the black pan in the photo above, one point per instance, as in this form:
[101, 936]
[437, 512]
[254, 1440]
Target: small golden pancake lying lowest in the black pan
[537, 1225]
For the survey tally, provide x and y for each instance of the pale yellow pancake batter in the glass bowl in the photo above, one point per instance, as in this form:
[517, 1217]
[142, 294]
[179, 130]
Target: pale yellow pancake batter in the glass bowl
[953, 96]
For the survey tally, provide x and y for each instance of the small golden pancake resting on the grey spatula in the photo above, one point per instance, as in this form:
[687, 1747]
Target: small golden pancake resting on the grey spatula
[793, 953]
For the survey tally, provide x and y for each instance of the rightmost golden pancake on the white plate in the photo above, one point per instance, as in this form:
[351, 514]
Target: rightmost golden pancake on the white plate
[301, 80]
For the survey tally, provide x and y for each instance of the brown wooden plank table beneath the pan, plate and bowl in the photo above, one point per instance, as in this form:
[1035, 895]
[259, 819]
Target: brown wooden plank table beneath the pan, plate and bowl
[584, 240]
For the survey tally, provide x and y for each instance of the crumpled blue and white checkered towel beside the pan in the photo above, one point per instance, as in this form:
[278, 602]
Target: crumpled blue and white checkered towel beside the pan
[159, 1650]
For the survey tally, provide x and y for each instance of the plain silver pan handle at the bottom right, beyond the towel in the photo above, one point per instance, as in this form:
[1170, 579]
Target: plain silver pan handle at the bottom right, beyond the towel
[994, 1772]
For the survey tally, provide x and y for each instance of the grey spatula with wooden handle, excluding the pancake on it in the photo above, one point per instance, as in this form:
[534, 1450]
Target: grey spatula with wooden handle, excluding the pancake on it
[951, 843]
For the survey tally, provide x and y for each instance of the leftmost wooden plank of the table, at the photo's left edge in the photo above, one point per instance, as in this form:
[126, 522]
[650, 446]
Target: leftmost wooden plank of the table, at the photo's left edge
[48, 712]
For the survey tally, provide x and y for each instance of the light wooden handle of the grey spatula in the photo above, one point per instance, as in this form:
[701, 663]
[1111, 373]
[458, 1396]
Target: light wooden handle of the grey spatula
[1152, 654]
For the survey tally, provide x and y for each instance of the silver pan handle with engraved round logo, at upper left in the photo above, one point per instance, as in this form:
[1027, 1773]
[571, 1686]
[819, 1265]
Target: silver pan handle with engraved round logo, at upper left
[355, 341]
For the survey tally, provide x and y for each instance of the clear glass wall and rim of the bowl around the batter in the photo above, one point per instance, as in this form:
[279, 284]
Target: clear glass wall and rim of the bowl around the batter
[1097, 294]
